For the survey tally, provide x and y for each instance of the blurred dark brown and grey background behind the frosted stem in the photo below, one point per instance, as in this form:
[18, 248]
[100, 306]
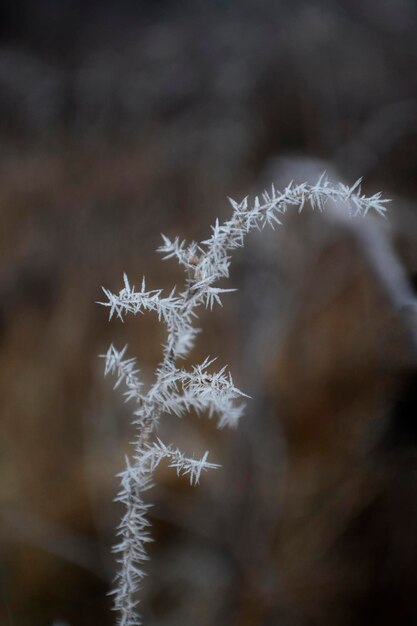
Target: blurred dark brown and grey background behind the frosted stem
[122, 120]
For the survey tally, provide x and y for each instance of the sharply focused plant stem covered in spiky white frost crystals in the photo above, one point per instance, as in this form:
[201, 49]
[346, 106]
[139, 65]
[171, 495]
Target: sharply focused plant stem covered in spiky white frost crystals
[175, 390]
